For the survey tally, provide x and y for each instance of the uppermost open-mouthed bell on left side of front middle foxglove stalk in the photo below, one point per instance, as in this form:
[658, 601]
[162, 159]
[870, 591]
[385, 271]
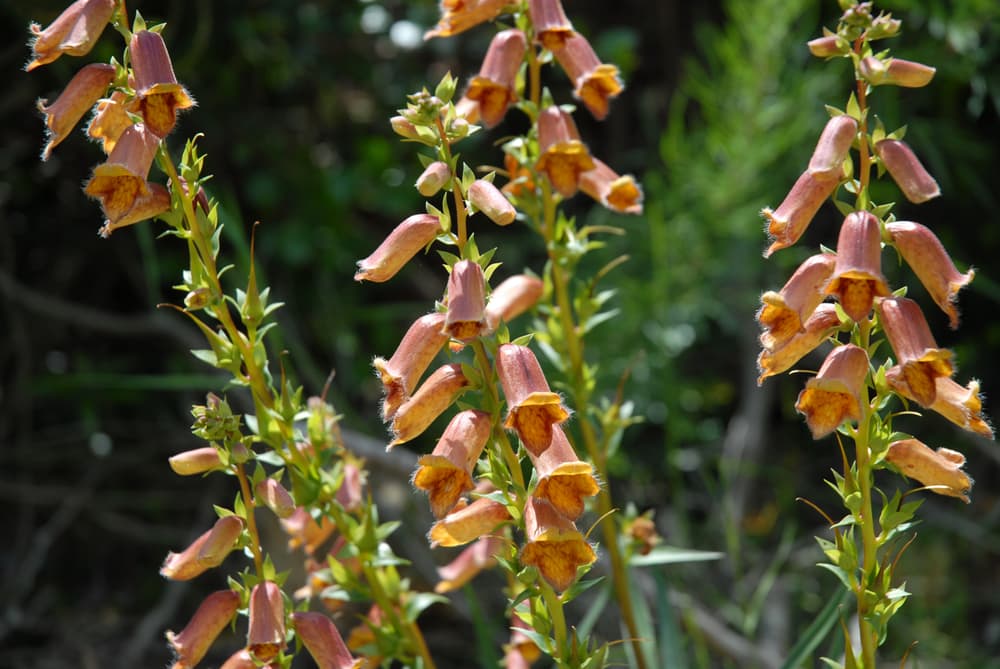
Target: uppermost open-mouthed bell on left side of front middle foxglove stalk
[413, 356]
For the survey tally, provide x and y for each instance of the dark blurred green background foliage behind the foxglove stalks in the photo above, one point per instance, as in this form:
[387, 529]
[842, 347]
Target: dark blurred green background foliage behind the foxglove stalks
[721, 112]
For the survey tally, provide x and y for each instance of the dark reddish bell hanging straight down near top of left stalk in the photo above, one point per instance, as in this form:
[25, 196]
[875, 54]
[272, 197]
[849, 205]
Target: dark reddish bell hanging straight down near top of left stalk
[158, 95]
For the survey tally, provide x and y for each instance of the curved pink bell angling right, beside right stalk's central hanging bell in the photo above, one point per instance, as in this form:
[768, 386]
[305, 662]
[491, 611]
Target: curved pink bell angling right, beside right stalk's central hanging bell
[927, 257]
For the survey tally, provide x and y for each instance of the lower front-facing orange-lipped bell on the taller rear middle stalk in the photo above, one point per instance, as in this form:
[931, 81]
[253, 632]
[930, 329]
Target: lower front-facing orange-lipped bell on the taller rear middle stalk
[564, 157]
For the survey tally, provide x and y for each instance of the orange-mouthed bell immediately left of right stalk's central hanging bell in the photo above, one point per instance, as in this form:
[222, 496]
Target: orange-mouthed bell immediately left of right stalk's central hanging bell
[783, 313]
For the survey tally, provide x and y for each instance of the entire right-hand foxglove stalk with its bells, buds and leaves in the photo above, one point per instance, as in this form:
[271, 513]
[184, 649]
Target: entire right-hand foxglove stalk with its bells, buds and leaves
[883, 357]
